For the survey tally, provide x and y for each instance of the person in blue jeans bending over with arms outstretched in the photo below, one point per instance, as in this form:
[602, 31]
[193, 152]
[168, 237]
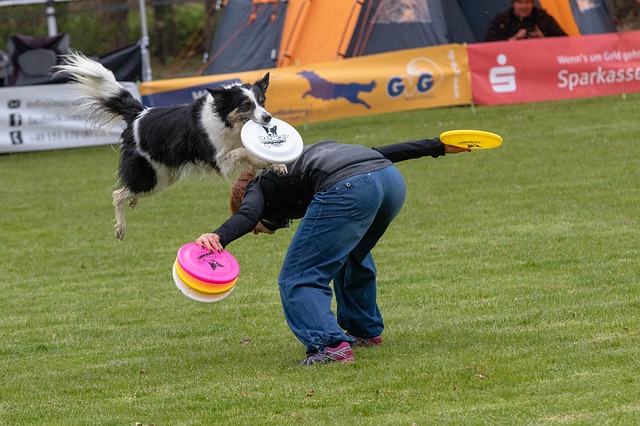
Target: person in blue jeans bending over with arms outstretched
[346, 196]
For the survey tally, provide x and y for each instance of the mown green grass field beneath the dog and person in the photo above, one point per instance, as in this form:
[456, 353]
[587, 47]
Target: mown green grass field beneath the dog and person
[509, 285]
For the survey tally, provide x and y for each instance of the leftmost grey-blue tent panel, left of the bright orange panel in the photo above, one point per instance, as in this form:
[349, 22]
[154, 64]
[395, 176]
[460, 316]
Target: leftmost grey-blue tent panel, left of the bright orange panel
[248, 36]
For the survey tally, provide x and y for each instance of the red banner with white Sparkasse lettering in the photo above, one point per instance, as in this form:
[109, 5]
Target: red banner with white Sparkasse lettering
[555, 68]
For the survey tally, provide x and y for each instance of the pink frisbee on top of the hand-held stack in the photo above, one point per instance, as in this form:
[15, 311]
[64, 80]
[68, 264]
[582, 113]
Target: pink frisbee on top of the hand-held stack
[210, 267]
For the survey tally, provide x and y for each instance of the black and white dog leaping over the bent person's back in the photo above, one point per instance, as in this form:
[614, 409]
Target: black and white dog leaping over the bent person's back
[163, 144]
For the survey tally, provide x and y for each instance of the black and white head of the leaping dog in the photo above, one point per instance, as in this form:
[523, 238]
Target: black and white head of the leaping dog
[238, 104]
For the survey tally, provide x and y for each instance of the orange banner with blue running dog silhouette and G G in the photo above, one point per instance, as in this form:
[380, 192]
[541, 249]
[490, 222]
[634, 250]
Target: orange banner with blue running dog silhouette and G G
[409, 79]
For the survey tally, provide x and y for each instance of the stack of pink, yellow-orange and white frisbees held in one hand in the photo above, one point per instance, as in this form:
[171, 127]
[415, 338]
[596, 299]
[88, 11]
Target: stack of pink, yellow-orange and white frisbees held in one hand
[205, 276]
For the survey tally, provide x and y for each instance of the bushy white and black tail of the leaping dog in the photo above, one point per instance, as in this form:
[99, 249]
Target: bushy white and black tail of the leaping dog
[107, 100]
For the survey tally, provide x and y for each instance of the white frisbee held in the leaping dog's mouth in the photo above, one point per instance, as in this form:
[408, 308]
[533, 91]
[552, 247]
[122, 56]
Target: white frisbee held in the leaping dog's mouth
[278, 142]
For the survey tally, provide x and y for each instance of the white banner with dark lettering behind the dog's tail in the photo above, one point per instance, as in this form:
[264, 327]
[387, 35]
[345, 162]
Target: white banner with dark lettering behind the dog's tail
[43, 117]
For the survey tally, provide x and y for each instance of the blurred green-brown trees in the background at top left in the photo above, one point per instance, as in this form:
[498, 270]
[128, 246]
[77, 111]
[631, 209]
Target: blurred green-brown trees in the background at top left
[97, 27]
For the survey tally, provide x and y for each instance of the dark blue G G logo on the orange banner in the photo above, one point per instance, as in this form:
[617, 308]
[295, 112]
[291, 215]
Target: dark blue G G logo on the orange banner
[423, 75]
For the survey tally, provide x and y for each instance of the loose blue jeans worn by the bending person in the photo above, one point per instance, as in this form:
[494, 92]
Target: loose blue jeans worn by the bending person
[333, 242]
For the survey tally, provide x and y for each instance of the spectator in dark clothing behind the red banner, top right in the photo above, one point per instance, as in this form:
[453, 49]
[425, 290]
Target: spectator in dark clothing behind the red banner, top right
[523, 20]
